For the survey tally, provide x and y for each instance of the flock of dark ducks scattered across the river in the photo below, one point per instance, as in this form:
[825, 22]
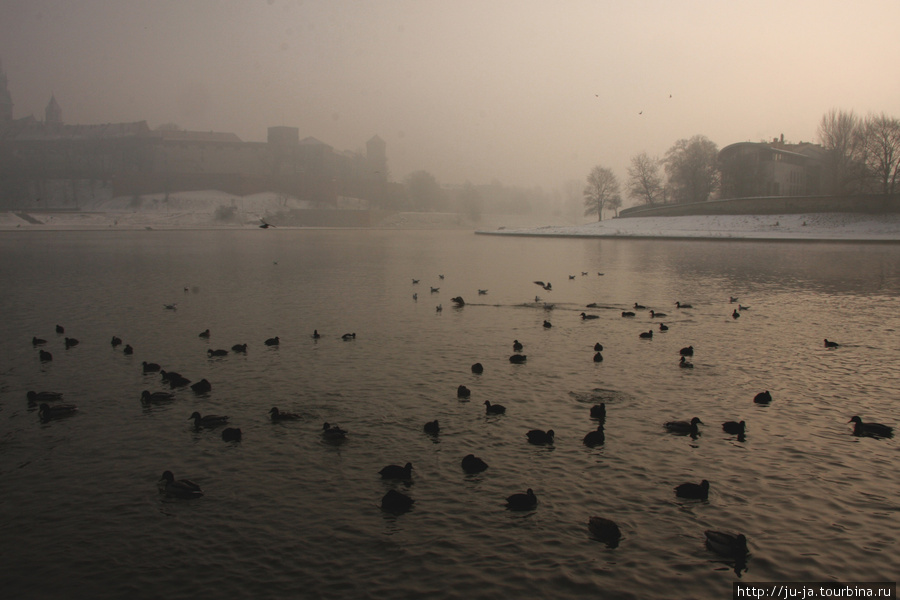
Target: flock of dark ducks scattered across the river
[730, 545]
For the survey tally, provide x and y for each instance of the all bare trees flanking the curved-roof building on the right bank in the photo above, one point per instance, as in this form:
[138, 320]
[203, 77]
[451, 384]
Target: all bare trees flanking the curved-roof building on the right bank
[863, 156]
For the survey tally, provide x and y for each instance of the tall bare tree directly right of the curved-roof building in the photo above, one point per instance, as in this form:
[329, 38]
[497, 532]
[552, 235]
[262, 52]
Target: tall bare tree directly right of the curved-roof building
[840, 132]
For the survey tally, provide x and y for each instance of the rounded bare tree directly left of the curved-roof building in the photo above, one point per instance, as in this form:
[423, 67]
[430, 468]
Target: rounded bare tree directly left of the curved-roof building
[692, 168]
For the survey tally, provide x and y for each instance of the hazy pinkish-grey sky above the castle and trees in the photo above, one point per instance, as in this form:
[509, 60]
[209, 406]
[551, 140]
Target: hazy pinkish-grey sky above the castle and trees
[526, 92]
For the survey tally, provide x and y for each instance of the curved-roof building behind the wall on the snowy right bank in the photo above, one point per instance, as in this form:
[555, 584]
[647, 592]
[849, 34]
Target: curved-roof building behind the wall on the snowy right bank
[756, 169]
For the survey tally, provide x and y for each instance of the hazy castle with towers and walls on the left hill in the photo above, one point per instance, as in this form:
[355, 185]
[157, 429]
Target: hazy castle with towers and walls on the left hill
[40, 157]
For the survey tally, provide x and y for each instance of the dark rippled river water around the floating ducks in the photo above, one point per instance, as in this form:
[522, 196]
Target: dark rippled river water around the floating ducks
[286, 514]
